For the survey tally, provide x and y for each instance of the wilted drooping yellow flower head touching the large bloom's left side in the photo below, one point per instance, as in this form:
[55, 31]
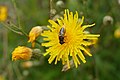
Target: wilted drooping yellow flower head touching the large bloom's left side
[34, 33]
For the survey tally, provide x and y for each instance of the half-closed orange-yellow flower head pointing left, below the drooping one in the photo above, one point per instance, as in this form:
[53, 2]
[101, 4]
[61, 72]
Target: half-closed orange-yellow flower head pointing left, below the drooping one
[21, 53]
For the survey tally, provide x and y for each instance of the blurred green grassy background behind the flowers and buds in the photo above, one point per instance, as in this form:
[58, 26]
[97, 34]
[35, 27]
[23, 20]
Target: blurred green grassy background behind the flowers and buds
[104, 65]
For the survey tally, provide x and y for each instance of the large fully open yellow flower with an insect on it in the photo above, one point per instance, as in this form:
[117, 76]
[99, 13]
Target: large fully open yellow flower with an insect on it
[73, 40]
